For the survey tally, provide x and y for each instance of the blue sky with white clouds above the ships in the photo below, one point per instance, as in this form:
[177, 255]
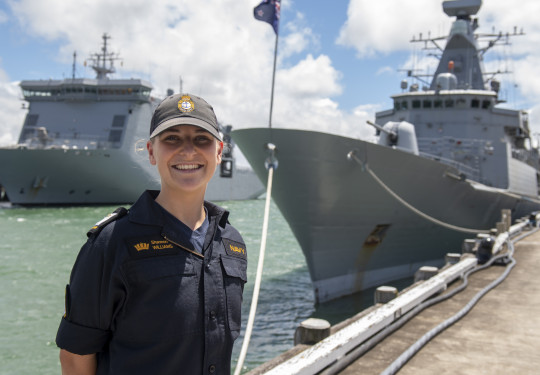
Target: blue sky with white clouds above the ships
[338, 61]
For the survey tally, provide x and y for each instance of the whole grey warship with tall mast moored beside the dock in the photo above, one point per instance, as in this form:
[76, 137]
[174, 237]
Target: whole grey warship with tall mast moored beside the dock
[447, 160]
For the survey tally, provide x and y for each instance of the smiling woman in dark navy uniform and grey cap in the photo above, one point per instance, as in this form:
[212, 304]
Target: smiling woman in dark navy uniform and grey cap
[158, 289]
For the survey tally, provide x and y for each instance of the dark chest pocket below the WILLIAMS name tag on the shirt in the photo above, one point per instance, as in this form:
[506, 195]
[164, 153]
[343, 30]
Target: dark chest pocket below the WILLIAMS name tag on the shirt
[163, 299]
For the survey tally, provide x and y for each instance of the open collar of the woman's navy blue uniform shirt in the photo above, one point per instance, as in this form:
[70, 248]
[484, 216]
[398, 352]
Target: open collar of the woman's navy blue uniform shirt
[145, 211]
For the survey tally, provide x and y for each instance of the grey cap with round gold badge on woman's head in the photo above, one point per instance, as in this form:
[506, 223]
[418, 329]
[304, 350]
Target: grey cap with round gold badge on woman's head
[184, 109]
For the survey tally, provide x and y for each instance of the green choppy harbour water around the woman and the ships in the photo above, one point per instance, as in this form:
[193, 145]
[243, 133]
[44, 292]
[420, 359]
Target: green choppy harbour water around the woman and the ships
[38, 247]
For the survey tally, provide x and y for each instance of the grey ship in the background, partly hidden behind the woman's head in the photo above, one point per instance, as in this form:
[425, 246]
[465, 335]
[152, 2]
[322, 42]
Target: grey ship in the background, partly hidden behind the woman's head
[78, 144]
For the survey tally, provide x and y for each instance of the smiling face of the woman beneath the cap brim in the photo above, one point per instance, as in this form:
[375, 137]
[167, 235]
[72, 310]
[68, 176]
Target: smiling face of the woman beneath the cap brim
[186, 157]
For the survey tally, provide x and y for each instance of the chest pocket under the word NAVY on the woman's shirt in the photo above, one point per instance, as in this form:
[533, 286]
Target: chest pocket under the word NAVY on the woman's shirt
[235, 276]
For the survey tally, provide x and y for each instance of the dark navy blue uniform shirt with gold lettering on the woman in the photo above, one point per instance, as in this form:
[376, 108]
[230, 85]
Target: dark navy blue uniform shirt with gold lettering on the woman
[143, 299]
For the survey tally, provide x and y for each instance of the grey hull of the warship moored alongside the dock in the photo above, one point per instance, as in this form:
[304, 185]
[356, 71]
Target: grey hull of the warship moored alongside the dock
[354, 232]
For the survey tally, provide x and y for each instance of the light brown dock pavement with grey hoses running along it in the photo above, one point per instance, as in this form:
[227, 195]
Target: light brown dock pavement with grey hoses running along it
[500, 335]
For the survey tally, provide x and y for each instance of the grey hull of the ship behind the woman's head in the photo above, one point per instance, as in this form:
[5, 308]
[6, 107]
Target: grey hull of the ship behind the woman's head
[91, 177]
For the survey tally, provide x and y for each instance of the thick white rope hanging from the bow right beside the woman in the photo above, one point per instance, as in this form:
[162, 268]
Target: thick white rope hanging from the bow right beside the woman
[258, 277]
